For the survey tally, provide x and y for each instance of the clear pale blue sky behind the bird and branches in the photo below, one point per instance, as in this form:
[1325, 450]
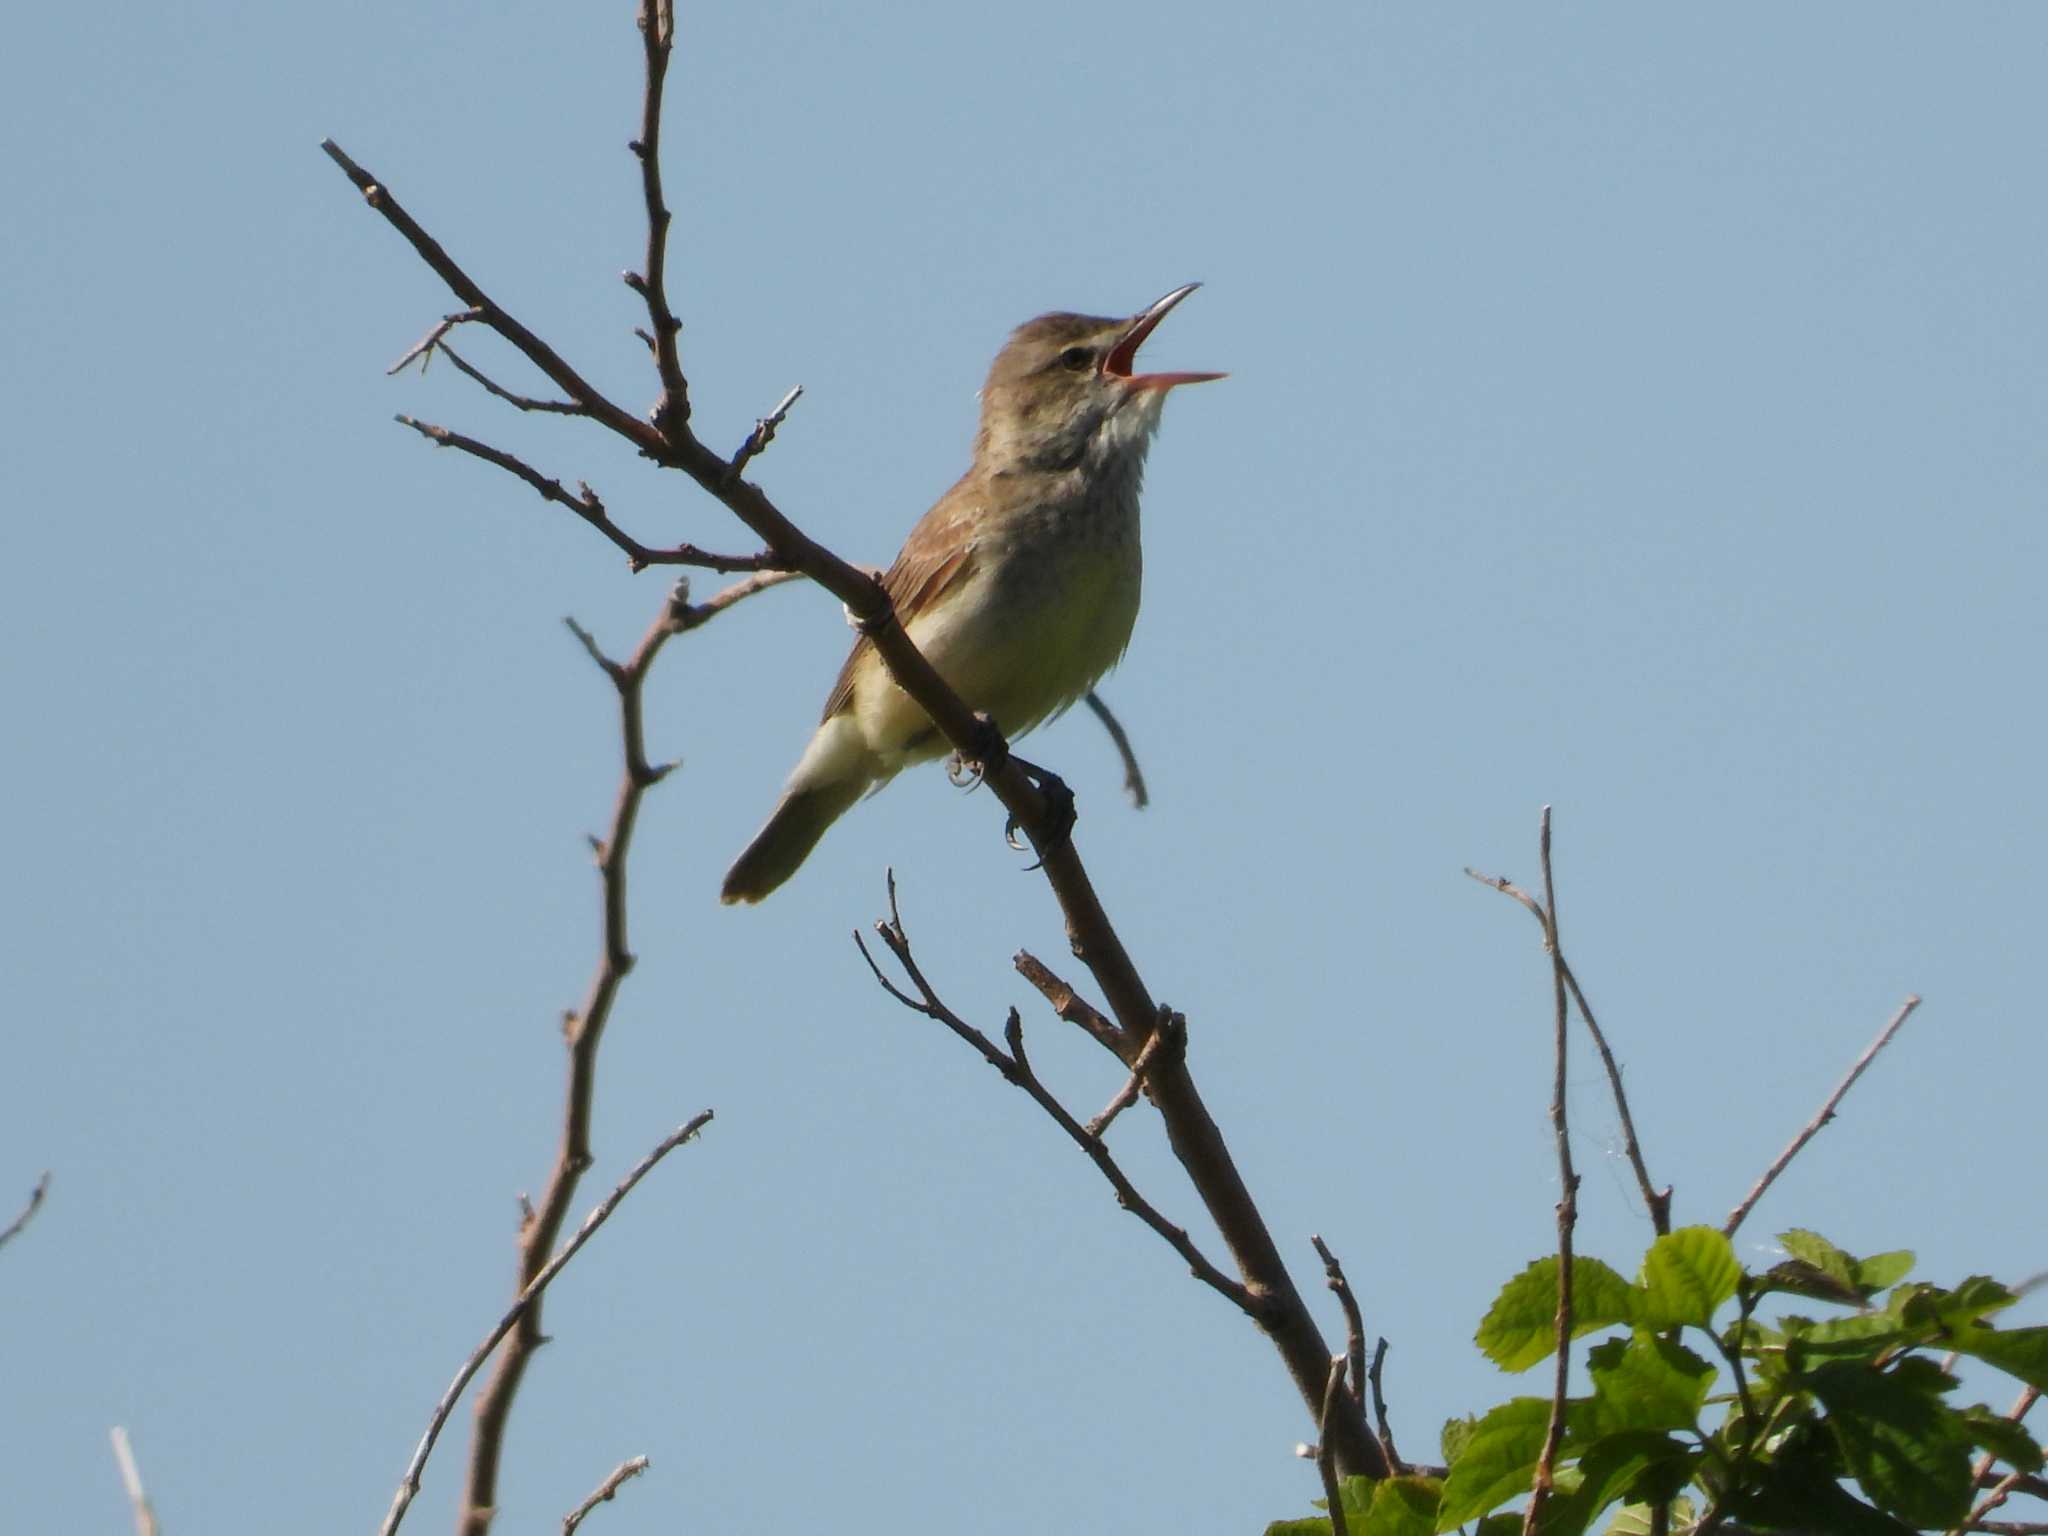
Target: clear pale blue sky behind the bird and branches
[1629, 411]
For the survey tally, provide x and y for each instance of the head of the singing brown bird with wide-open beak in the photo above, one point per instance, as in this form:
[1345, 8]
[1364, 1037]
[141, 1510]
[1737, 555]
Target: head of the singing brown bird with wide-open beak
[1064, 390]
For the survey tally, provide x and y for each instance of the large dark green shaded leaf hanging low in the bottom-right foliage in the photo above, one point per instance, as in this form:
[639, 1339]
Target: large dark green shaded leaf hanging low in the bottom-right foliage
[1900, 1441]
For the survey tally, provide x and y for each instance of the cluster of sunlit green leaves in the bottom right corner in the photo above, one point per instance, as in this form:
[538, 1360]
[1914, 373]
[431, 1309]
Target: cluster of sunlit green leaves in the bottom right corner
[1842, 1422]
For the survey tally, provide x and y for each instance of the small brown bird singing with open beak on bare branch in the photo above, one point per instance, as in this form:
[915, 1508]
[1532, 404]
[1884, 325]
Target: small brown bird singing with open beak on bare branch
[1021, 585]
